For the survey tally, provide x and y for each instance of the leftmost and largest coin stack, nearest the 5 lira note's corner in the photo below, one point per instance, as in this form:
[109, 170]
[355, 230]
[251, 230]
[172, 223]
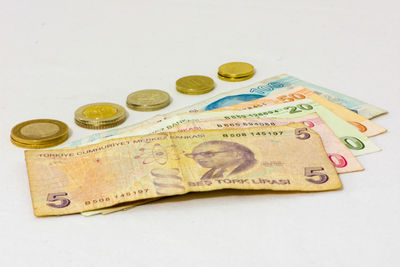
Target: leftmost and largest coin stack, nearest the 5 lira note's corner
[40, 133]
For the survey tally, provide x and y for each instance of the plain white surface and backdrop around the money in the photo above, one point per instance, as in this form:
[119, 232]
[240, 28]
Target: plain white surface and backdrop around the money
[58, 55]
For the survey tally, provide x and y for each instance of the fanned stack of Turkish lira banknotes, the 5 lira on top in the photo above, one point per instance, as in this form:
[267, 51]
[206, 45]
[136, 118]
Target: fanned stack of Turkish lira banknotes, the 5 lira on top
[280, 134]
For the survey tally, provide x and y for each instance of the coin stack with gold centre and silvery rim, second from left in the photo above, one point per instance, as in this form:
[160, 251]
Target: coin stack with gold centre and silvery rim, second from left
[100, 115]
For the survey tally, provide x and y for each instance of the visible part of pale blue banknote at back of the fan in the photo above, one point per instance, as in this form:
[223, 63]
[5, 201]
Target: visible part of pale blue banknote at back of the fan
[275, 85]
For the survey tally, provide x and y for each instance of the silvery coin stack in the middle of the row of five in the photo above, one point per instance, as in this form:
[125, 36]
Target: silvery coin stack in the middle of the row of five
[148, 100]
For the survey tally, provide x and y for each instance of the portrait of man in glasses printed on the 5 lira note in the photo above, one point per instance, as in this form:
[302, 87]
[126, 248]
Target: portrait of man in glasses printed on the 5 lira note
[223, 158]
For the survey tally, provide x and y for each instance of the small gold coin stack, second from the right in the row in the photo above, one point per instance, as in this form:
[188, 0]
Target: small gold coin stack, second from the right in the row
[195, 85]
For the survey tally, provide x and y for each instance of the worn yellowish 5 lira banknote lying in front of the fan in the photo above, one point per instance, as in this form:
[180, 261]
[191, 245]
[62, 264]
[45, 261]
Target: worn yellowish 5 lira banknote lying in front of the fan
[283, 158]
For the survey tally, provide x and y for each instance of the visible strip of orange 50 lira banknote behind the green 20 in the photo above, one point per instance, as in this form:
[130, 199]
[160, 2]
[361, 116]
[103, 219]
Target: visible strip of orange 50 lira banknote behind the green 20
[367, 127]
